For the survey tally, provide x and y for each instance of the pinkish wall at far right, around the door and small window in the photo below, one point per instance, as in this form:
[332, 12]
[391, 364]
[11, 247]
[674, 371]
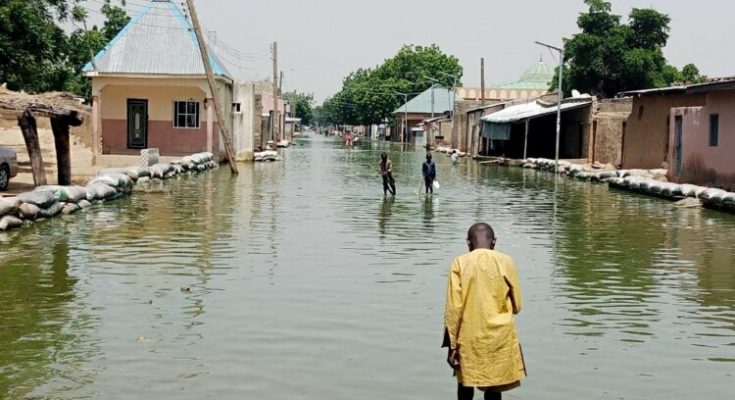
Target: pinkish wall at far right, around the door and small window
[704, 164]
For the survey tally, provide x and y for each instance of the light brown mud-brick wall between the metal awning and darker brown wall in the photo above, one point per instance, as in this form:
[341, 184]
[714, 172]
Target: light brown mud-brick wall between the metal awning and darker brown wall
[606, 145]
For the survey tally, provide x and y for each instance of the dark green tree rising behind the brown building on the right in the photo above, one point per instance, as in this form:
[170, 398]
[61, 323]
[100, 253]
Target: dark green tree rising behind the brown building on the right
[608, 57]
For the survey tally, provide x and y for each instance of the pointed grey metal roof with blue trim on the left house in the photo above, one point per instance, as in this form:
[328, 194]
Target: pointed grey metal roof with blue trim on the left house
[159, 40]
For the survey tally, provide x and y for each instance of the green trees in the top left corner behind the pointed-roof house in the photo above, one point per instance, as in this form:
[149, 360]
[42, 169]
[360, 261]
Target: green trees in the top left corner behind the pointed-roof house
[36, 55]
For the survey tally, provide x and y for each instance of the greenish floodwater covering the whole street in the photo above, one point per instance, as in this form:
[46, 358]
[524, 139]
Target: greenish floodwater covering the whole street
[297, 280]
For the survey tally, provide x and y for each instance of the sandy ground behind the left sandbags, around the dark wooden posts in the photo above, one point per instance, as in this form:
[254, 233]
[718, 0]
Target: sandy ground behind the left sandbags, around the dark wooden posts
[81, 160]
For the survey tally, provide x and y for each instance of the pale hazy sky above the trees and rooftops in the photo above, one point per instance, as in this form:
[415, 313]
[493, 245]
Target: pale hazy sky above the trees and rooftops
[321, 41]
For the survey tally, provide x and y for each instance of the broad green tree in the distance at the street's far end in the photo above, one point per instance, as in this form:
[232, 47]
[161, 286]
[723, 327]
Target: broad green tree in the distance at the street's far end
[369, 96]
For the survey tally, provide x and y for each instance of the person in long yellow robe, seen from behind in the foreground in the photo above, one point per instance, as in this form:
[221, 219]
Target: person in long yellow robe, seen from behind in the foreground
[483, 294]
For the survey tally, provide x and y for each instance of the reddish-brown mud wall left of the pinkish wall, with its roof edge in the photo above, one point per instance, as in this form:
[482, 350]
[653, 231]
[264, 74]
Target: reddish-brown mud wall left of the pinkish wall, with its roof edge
[646, 134]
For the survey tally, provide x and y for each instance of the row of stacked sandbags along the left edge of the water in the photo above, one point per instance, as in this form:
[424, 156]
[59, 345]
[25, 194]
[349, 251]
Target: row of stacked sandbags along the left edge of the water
[109, 184]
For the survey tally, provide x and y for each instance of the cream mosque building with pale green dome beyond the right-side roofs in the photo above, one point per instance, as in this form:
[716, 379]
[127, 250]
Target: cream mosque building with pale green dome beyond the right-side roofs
[533, 83]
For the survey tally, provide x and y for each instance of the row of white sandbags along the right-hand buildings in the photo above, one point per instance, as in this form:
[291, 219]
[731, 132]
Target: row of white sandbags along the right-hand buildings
[640, 181]
